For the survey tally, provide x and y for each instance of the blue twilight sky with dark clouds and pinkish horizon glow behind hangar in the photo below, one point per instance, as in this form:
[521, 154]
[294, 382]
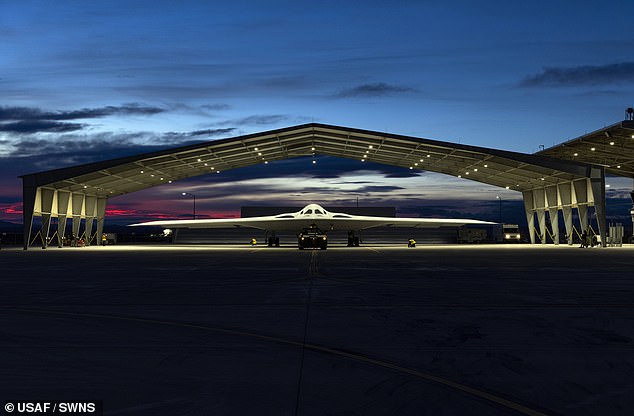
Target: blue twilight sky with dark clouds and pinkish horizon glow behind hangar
[85, 81]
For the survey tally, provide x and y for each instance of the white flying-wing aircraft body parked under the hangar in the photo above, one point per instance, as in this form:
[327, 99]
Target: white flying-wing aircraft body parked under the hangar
[314, 215]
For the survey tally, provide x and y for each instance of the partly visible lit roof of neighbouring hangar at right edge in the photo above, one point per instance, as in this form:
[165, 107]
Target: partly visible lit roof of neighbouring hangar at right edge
[611, 147]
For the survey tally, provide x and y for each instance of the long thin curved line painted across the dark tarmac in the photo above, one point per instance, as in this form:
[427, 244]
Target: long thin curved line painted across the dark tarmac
[332, 351]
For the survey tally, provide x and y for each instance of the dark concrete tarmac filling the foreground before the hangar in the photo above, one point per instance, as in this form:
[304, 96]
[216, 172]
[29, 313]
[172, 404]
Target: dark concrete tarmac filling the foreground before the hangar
[375, 330]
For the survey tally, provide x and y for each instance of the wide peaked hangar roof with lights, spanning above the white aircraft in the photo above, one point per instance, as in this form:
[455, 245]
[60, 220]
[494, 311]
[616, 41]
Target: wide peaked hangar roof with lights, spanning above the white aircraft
[114, 177]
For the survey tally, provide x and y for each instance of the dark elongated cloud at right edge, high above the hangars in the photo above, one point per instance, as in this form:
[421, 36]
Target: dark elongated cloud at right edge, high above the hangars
[582, 75]
